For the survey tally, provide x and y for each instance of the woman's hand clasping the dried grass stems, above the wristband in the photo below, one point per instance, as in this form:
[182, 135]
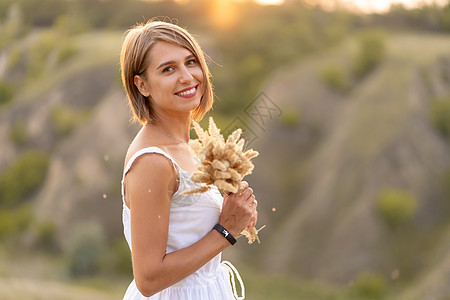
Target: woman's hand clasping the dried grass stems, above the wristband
[239, 210]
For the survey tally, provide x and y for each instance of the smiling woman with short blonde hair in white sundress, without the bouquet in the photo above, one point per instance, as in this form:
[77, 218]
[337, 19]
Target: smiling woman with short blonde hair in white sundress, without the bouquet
[176, 240]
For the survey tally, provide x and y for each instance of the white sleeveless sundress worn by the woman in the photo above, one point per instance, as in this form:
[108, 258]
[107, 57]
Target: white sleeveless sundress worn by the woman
[191, 218]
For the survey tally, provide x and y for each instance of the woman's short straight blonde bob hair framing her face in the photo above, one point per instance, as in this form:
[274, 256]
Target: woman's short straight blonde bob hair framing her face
[134, 60]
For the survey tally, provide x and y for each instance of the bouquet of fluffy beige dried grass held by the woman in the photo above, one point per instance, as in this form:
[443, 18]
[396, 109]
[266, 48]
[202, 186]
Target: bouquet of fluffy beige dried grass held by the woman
[223, 163]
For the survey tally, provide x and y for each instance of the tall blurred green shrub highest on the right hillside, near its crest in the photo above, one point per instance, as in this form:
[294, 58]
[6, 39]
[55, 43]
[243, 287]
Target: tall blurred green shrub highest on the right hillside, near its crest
[372, 48]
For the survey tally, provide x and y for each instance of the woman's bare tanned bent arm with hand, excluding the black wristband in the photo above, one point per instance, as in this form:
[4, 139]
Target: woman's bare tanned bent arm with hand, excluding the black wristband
[149, 186]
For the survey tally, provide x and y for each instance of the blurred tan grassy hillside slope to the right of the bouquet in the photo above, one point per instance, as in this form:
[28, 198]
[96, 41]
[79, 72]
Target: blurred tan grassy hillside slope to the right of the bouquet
[349, 148]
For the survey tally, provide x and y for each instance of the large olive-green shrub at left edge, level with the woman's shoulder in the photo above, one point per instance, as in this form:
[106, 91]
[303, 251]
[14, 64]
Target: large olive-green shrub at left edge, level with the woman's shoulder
[23, 176]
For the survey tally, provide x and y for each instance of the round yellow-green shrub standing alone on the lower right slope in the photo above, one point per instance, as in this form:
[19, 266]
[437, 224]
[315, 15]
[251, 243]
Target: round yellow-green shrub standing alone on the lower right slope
[396, 206]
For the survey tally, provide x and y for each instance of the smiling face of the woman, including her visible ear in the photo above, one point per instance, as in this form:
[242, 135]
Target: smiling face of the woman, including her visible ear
[174, 81]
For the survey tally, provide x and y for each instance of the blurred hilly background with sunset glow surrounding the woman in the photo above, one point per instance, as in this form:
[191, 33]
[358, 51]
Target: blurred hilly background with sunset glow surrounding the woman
[348, 103]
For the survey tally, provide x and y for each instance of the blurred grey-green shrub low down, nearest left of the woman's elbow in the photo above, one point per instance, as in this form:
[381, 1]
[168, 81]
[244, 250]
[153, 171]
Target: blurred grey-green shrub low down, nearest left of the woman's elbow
[85, 250]
